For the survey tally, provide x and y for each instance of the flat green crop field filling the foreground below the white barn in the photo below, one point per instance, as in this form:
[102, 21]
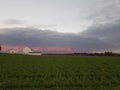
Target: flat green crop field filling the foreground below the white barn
[22, 72]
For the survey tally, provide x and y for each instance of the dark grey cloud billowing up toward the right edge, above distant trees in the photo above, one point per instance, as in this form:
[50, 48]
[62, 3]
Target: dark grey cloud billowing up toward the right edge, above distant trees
[107, 33]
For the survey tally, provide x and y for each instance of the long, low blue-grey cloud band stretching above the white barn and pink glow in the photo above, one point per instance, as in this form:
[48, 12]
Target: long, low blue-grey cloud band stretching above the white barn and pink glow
[35, 37]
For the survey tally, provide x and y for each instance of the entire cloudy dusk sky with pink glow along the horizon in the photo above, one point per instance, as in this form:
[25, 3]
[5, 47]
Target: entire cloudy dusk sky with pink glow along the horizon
[60, 25]
